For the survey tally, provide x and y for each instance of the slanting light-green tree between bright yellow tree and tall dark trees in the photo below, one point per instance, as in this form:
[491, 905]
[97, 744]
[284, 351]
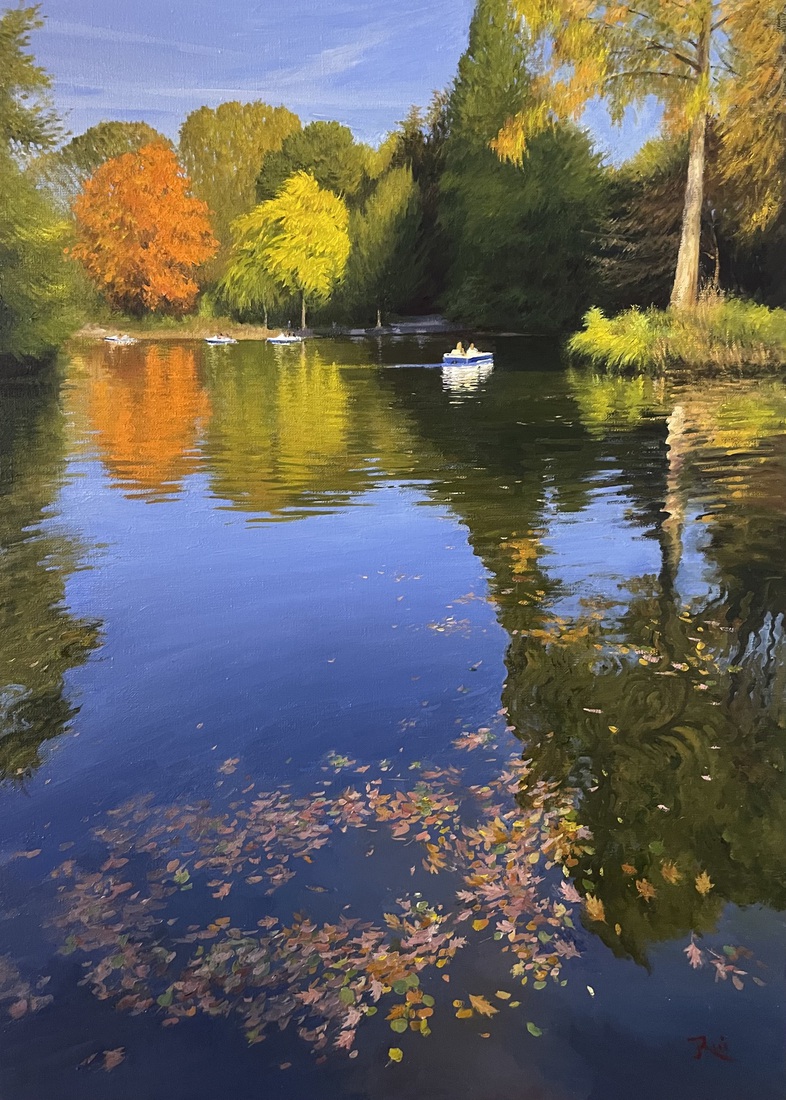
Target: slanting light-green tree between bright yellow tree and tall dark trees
[383, 272]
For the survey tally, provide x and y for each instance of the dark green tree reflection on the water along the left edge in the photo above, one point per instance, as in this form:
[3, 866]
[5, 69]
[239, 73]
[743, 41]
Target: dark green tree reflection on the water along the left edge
[40, 640]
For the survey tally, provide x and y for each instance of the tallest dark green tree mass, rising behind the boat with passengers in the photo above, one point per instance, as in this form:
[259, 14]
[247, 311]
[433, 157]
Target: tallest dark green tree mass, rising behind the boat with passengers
[519, 236]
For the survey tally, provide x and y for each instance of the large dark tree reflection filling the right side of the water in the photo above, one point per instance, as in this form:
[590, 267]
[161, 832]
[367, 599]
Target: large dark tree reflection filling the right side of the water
[658, 695]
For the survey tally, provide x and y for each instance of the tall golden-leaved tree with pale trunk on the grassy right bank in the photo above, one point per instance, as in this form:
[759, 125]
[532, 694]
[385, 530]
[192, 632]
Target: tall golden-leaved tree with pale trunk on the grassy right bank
[674, 51]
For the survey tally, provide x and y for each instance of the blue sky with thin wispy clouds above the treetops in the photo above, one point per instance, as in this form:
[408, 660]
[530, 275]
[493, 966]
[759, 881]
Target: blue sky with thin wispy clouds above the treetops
[362, 62]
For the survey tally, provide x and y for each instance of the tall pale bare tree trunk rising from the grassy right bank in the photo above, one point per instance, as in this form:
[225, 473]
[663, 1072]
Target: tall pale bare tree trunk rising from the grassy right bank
[687, 279]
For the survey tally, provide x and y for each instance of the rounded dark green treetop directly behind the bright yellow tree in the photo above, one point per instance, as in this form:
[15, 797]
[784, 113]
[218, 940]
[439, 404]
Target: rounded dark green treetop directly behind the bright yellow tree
[327, 151]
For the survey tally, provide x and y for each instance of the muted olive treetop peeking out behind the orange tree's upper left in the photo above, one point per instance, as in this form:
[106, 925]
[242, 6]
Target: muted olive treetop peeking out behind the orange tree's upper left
[64, 172]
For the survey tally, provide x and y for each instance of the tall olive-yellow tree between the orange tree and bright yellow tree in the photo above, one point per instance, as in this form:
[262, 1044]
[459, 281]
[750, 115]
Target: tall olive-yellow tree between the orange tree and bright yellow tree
[223, 149]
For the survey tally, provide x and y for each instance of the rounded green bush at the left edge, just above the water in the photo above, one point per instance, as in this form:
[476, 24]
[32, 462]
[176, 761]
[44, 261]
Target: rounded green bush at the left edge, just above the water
[37, 307]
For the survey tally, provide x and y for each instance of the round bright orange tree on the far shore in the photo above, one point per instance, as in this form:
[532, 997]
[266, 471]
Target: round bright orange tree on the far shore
[141, 236]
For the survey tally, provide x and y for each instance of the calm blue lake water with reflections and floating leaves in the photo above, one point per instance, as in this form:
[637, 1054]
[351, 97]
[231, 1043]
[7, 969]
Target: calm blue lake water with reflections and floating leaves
[238, 582]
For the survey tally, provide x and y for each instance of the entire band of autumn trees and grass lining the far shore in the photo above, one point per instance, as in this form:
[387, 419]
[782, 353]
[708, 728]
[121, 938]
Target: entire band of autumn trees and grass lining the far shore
[492, 206]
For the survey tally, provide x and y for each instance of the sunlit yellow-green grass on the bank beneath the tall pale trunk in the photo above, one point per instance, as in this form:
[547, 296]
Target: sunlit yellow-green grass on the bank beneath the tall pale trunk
[718, 334]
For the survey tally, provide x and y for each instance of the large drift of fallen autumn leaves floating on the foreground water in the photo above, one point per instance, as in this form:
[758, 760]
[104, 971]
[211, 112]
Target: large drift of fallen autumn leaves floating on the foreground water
[326, 980]
